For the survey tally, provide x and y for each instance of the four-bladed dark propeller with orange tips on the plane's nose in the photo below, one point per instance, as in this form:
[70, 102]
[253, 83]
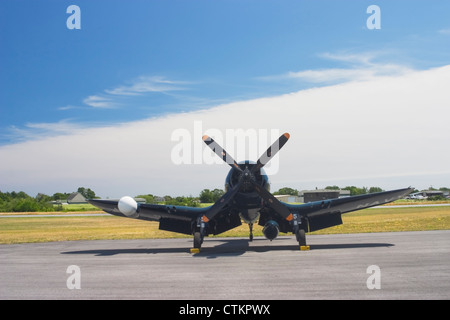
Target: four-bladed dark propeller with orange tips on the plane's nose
[247, 175]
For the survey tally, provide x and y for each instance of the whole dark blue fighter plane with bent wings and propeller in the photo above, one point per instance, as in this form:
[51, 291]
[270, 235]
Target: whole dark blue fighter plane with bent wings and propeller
[248, 199]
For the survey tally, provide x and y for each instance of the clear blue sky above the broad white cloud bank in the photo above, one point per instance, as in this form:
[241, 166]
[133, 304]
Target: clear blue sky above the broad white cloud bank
[140, 59]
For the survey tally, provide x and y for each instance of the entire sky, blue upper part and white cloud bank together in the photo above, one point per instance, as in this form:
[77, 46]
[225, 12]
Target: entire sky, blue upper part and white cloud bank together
[72, 101]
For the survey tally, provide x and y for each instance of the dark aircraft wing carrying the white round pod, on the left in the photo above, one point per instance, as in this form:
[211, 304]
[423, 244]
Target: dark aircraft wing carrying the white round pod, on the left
[171, 218]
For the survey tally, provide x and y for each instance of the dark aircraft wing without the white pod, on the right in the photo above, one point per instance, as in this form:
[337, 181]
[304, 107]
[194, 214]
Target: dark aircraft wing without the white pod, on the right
[327, 213]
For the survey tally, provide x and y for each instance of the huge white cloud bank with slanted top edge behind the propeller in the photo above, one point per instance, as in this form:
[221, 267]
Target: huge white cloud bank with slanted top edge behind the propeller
[389, 131]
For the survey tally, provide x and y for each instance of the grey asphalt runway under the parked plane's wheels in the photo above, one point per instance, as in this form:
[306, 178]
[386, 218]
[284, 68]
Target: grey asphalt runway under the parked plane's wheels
[412, 265]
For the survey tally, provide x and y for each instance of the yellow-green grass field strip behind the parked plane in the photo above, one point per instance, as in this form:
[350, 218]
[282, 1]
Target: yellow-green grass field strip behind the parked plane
[70, 227]
